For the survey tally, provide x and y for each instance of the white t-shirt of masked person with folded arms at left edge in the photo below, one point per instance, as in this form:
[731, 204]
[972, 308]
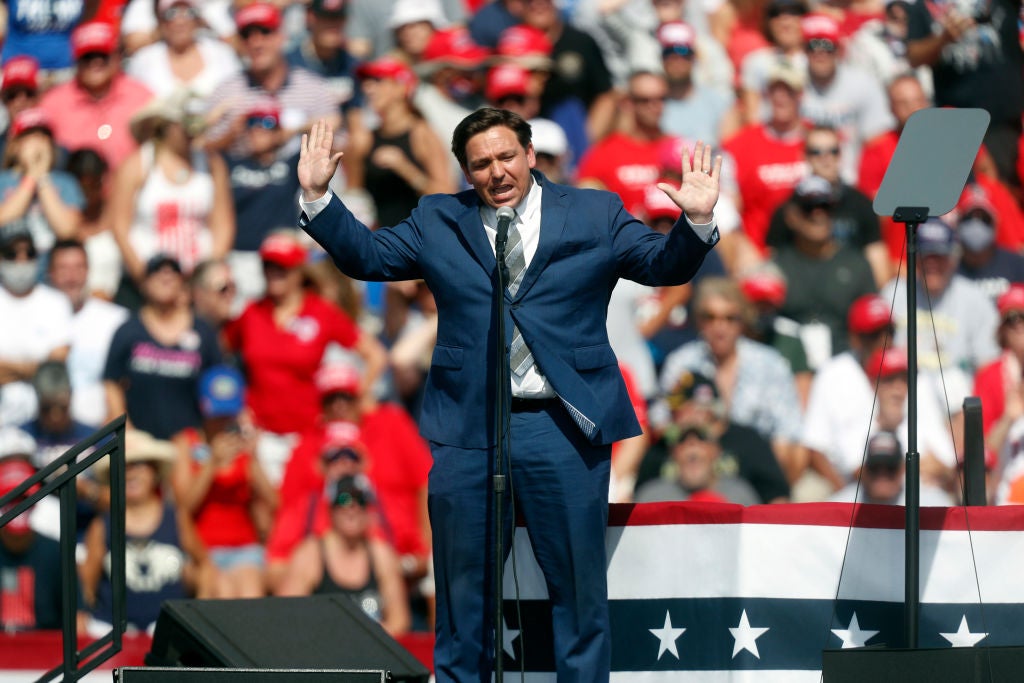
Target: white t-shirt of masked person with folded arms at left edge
[33, 327]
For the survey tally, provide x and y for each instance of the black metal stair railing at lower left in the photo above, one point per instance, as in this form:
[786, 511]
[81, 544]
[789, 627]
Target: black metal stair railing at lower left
[60, 476]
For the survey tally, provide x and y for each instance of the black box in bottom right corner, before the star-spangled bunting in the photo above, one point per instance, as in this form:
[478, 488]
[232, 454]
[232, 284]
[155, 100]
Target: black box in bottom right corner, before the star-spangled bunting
[946, 665]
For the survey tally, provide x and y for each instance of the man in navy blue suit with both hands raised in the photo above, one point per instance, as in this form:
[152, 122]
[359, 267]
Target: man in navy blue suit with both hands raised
[569, 402]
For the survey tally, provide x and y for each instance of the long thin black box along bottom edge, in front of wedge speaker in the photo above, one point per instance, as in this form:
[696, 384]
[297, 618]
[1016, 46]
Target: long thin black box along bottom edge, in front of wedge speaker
[165, 675]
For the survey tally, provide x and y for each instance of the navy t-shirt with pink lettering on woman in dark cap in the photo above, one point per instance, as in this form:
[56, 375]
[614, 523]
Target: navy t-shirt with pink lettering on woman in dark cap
[161, 383]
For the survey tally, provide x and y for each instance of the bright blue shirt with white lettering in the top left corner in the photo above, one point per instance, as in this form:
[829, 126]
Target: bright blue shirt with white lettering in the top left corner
[41, 29]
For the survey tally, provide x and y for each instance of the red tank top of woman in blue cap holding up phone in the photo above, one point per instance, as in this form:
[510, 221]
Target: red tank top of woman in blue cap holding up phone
[224, 521]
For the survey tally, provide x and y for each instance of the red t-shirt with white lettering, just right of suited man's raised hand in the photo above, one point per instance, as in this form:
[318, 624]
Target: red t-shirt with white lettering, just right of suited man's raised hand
[769, 169]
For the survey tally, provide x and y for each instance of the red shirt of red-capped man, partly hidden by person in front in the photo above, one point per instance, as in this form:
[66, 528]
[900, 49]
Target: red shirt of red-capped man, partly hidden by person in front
[398, 464]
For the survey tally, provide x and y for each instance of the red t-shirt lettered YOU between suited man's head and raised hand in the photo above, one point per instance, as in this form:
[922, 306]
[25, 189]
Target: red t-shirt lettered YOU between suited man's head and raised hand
[624, 165]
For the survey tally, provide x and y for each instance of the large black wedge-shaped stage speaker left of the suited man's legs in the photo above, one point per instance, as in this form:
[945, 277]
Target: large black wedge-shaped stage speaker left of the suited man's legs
[319, 632]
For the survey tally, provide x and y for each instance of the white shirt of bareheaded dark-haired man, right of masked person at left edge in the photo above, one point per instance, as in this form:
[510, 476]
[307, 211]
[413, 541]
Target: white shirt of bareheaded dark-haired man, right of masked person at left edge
[93, 329]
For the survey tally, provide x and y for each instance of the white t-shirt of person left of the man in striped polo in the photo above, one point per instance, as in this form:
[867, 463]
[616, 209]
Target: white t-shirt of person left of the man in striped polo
[151, 67]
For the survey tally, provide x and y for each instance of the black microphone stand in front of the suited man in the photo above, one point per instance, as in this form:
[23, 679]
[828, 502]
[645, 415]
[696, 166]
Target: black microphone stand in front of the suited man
[502, 376]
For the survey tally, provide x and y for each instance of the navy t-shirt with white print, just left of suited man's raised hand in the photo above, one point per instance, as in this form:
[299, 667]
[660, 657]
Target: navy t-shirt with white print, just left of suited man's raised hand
[265, 198]
